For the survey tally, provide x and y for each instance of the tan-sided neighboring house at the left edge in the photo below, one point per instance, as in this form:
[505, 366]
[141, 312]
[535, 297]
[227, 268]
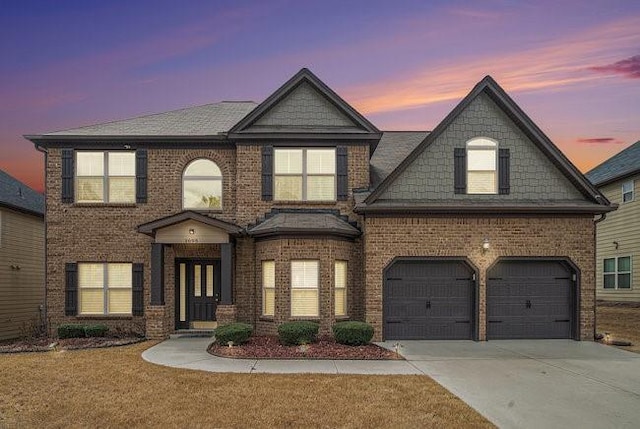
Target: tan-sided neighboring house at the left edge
[22, 259]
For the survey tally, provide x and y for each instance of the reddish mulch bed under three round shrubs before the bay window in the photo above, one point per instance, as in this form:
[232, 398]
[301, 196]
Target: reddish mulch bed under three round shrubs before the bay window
[325, 348]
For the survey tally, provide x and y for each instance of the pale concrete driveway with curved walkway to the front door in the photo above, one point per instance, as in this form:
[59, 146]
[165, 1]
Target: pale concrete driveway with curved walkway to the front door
[515, 384]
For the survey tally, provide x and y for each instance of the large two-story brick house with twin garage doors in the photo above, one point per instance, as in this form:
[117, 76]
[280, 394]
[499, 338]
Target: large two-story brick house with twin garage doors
[300, 208]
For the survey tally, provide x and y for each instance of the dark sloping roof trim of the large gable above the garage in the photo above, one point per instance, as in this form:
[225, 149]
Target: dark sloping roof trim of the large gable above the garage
[491, 88]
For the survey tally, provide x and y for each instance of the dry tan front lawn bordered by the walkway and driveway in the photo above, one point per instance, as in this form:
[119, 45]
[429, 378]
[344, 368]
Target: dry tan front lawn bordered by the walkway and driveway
[116, 388]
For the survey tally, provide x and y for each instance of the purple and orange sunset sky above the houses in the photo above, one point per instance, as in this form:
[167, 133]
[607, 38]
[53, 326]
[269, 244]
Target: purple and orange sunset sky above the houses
[573, 66]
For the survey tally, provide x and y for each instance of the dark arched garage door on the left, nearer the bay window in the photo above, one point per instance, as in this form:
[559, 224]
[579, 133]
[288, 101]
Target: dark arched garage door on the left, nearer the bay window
[428, 300]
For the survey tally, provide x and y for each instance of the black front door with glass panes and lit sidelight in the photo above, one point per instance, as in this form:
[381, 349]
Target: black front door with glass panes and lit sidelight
[197, 291]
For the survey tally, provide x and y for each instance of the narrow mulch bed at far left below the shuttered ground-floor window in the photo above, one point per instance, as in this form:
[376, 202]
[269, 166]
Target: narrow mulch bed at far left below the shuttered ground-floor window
[50, 344]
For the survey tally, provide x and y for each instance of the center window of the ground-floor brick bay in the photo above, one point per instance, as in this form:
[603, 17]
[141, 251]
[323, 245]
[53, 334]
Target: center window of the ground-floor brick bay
[304, 288]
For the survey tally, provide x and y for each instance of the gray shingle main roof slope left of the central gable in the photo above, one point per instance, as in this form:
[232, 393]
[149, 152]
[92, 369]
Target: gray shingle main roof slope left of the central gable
[207, 120]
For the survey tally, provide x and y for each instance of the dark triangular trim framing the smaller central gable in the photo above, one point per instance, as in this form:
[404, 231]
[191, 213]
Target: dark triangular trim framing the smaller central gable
[359, 124]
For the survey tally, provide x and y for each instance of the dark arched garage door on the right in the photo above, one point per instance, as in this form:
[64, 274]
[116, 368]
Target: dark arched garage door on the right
[530, 299]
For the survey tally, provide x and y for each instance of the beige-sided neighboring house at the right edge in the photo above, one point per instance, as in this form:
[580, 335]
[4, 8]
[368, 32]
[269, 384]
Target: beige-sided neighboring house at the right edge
[618, 236]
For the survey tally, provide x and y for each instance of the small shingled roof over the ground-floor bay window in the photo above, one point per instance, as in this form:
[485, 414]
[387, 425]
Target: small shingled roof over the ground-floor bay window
[303, 223]
